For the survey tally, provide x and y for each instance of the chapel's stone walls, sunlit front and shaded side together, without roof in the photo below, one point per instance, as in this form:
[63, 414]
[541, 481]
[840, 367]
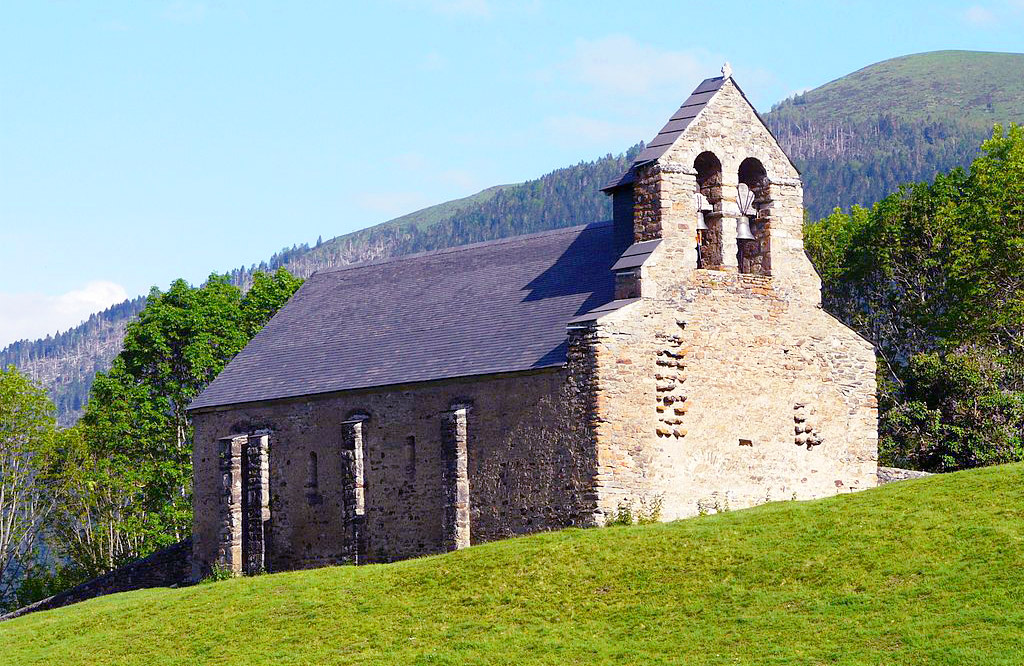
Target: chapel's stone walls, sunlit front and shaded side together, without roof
[722, 387]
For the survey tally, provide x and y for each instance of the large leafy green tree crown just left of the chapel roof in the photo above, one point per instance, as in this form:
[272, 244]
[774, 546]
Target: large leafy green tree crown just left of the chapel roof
[137, 413]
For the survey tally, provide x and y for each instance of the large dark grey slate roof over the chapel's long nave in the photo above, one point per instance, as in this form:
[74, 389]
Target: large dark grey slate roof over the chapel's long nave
[484, 309]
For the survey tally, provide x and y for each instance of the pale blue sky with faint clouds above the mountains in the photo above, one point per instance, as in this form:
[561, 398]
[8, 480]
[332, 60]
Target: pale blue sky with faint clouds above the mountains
[142, 142]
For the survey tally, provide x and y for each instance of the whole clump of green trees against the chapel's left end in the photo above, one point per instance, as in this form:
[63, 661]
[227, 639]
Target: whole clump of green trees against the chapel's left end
[125, 476]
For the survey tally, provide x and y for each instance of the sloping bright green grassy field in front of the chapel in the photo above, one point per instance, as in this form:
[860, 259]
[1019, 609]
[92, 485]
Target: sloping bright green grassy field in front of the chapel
[923, 572]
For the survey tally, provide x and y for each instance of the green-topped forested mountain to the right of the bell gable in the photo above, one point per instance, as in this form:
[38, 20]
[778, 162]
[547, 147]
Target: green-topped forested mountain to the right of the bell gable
[858, 139]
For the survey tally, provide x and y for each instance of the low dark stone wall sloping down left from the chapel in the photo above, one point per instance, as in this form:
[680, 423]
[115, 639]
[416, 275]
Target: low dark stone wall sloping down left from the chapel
[173, 566]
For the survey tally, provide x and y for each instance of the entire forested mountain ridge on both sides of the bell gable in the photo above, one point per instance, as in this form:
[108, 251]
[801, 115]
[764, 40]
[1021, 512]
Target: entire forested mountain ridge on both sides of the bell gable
[856, 140]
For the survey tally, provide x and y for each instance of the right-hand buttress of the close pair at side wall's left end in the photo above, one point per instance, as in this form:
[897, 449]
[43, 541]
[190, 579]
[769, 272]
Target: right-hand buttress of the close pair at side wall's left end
[257, 504]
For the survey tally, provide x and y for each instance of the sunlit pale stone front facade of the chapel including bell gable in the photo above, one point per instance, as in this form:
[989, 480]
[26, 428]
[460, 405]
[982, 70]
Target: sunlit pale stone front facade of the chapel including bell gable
[720, 389]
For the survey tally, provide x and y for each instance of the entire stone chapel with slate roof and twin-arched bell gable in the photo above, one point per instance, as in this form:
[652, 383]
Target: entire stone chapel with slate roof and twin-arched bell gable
[678, 354]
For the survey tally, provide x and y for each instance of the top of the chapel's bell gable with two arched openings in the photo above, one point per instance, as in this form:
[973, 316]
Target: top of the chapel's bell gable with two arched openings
[716, 187]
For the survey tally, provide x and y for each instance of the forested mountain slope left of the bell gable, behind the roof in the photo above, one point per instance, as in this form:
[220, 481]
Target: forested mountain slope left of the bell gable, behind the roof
[67, 363]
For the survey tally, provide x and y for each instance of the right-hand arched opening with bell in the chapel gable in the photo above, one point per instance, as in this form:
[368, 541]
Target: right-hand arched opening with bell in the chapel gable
[754, 224]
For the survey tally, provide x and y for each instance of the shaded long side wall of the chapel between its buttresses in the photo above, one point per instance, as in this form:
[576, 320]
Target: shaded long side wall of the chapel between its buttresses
[529, 468]
